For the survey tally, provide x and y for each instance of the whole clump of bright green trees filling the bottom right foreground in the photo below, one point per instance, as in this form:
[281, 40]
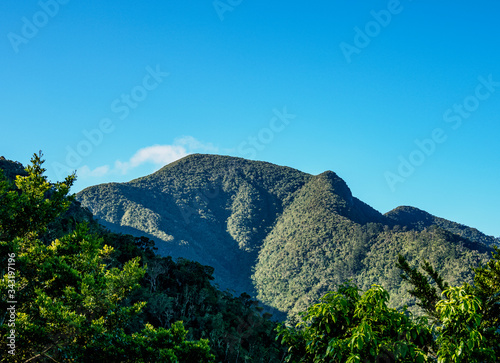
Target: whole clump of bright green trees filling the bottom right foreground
[462, 323]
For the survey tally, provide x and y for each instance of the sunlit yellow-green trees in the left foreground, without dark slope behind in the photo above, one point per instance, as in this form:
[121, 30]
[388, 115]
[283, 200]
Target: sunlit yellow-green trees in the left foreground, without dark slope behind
[71, 306]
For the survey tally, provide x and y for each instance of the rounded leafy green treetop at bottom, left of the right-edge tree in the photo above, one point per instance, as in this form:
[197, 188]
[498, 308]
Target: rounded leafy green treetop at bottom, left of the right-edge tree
[347, 326]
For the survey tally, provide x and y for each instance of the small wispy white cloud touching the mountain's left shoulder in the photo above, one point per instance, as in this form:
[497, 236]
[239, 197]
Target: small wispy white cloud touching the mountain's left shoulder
[157, 155]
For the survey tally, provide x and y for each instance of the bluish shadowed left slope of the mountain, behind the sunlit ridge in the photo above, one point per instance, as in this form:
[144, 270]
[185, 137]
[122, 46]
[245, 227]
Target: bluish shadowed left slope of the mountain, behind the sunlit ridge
[212, 209]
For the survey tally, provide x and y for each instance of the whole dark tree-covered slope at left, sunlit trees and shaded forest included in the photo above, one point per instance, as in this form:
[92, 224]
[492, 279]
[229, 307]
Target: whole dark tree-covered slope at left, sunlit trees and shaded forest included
[84, 294]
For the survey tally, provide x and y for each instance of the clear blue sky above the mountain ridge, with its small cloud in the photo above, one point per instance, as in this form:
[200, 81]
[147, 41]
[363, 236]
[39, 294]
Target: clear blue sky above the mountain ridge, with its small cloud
[400, 98]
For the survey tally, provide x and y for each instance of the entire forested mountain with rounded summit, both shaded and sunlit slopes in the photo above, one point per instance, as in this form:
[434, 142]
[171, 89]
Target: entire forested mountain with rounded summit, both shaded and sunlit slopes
[280, 234]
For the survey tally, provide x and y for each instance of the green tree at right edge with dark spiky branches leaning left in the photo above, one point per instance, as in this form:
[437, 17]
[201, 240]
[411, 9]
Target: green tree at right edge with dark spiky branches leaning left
[466, 318]
